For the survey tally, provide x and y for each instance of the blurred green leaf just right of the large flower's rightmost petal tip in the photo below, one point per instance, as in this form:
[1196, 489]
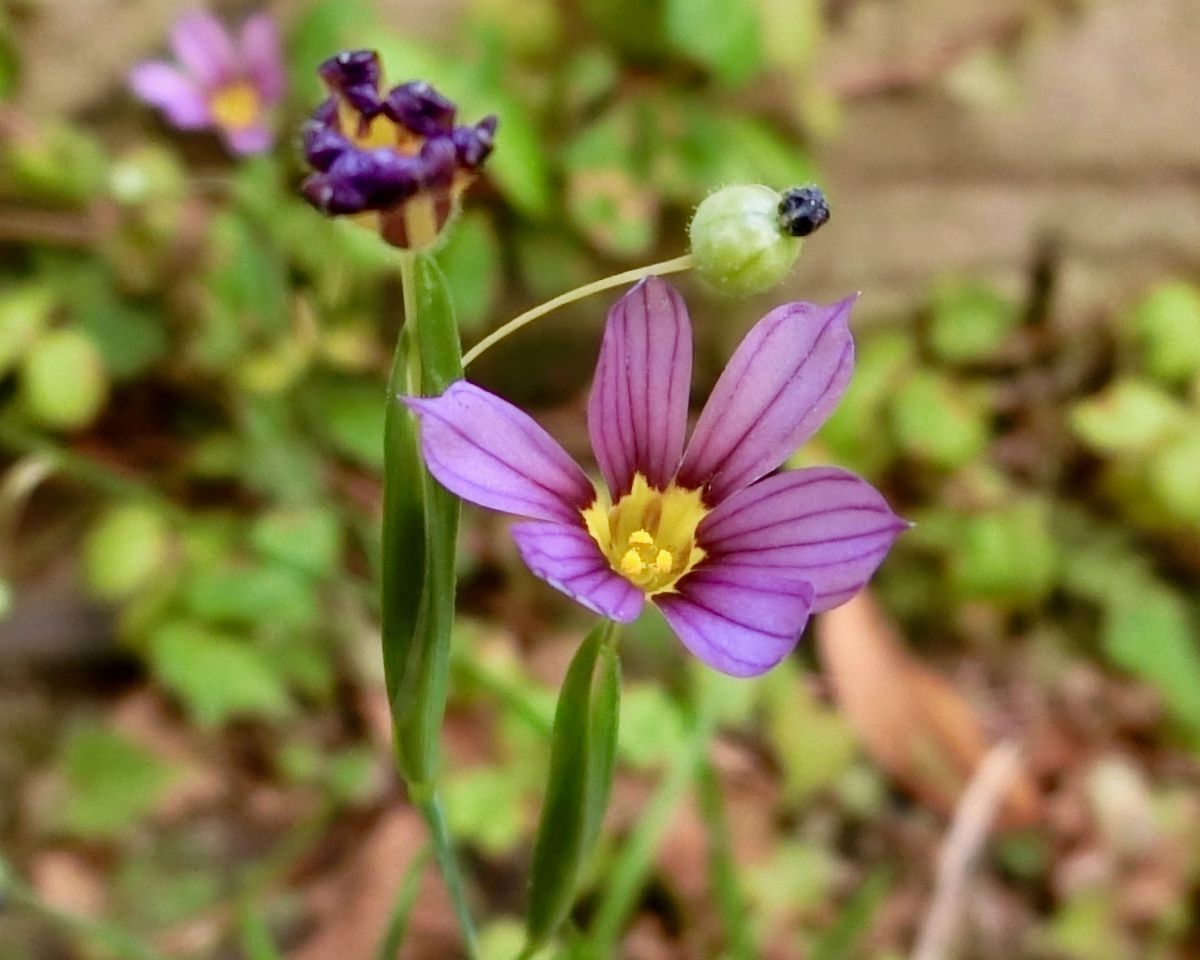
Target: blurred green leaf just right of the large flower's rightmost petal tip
[1007, 555]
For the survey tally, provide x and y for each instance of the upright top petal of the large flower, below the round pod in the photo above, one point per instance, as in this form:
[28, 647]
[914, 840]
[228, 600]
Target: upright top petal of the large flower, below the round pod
[638, 411]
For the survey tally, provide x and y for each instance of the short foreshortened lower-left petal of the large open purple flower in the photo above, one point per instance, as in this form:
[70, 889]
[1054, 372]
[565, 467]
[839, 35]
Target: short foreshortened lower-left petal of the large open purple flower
[568, 559]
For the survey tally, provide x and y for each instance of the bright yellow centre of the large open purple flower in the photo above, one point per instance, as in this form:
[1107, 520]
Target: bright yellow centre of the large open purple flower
[650, 536]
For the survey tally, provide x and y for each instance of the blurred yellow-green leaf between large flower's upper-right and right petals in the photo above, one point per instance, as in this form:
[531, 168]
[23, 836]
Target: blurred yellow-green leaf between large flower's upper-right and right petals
[940, 421]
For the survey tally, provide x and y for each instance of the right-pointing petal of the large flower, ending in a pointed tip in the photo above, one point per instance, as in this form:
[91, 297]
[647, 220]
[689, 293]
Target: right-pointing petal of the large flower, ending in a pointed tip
[823, 525]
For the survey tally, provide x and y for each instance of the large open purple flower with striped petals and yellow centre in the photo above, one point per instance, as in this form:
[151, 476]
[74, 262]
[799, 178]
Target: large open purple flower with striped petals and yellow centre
[735, 559]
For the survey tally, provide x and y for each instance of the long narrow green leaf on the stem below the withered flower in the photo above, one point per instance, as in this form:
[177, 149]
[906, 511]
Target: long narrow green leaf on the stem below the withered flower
[421, 530]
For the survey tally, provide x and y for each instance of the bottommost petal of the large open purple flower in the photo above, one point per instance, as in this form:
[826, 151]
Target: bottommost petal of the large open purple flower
[740, 622]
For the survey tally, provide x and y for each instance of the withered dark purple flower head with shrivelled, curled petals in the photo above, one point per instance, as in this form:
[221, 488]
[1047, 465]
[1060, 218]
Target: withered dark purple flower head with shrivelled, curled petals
[395, 159]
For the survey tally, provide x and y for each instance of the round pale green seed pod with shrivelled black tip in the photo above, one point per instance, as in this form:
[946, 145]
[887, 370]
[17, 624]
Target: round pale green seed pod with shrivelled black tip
[746, 238]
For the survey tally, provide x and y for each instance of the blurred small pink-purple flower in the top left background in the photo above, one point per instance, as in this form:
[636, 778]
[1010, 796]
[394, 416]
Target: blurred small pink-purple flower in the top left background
[223, 83]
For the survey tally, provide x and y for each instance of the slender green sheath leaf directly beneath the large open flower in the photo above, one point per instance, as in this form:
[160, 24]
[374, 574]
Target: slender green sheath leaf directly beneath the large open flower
[583, 761]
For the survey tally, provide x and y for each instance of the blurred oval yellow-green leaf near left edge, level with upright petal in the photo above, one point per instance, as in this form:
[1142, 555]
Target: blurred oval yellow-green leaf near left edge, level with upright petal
[63, 381]
